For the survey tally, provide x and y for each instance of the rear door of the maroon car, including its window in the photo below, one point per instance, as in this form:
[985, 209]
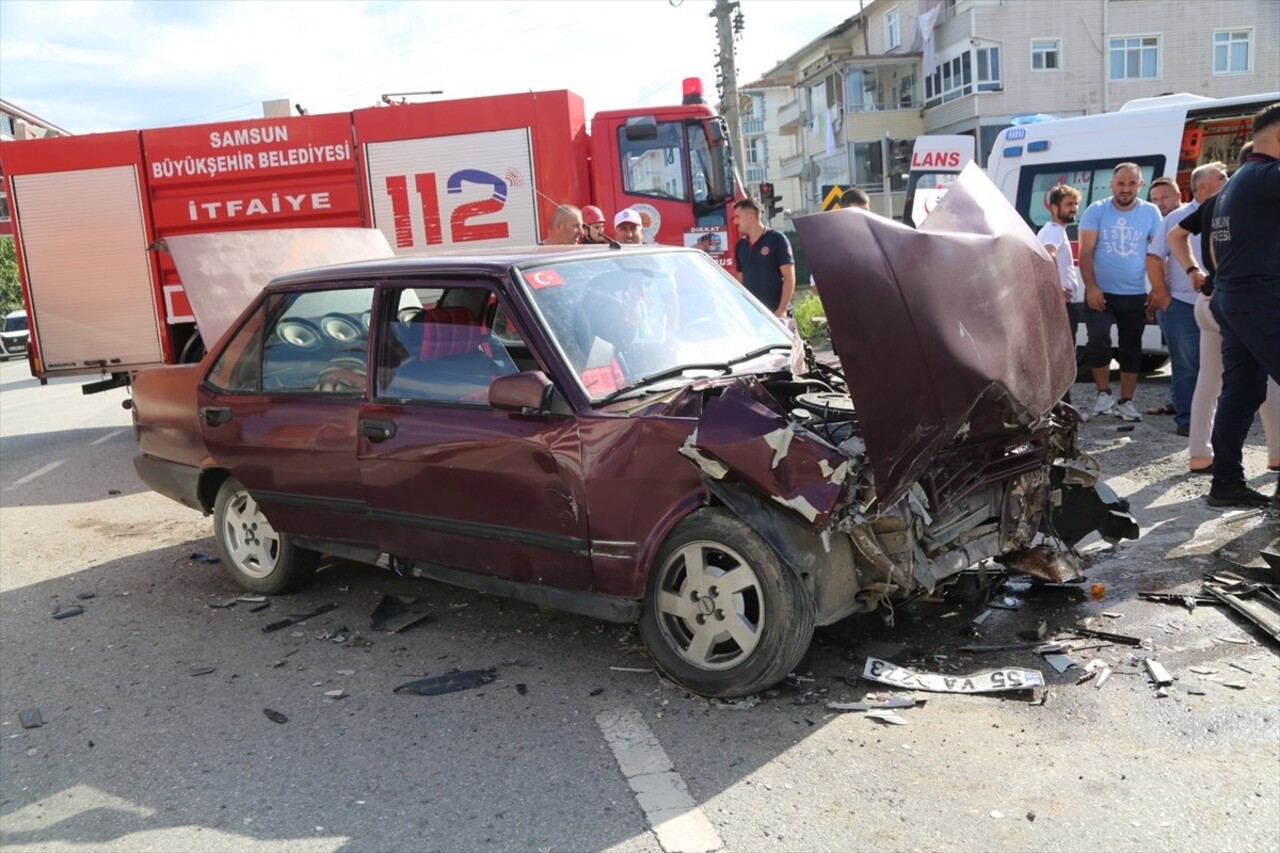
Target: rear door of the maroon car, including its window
[280, 409]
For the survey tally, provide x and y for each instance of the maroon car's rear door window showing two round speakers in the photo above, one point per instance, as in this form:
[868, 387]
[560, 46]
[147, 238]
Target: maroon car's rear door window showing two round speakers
[317, 343]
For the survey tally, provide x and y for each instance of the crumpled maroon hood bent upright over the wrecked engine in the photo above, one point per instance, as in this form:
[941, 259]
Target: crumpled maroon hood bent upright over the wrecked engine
[956, 330]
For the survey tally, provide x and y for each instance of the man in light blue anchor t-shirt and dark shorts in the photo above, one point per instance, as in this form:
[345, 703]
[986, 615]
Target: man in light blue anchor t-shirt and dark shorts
[1114, 238]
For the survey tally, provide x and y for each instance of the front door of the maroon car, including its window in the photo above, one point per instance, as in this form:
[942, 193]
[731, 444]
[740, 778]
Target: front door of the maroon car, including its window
[451, 481]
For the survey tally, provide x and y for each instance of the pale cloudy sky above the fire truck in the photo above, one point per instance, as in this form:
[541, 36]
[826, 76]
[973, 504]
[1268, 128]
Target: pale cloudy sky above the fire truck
[118, 65]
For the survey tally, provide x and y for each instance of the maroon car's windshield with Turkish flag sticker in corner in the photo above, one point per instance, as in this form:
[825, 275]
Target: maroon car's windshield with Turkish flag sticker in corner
[638, 321]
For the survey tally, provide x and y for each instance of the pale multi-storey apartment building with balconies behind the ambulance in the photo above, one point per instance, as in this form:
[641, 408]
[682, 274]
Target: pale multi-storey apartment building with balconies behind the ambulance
[900, 69]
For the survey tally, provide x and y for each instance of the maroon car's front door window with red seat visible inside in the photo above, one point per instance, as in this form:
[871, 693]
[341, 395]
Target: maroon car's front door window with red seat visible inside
[451, 349]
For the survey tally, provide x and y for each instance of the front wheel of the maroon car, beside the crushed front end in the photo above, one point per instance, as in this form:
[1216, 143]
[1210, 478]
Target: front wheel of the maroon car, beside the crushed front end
[716, 641]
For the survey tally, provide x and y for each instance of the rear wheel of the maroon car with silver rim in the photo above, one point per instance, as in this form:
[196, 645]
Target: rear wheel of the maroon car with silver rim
[260, 560]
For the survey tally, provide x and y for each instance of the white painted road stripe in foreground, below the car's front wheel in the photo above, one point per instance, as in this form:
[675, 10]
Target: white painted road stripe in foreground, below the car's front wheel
[662, 795]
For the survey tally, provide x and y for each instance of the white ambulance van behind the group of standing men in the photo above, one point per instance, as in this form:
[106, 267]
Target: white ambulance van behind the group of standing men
[1167, 136]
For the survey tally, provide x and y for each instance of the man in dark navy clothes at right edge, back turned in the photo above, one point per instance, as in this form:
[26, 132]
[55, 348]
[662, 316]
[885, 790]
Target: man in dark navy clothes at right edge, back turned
[1246, 245]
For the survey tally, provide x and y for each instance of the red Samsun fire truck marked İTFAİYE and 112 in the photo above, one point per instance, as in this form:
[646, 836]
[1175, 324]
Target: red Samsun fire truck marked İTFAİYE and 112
[92, 212]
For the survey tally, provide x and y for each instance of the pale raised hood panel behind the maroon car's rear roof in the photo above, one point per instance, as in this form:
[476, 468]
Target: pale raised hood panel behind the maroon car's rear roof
[222, 272]
